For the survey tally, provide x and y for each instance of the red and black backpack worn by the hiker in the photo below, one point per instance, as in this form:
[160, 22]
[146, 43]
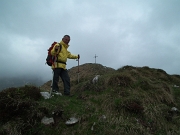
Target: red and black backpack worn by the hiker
[51, 59]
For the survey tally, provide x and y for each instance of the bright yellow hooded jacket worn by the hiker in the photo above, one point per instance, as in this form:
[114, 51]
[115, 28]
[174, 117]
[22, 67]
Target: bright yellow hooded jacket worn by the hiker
[62, 55]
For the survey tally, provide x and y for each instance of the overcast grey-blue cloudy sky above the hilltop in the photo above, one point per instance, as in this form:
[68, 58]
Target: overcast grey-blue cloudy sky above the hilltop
[120, 32]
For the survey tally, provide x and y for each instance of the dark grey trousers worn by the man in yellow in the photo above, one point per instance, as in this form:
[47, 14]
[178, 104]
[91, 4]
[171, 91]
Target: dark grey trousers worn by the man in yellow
[60, 72]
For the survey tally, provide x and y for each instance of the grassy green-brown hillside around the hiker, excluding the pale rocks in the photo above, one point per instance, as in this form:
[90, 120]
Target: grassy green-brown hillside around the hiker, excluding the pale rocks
[127, 101]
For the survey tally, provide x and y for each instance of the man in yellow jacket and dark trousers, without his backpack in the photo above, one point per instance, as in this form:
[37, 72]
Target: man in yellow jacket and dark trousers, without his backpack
[59, 66]
